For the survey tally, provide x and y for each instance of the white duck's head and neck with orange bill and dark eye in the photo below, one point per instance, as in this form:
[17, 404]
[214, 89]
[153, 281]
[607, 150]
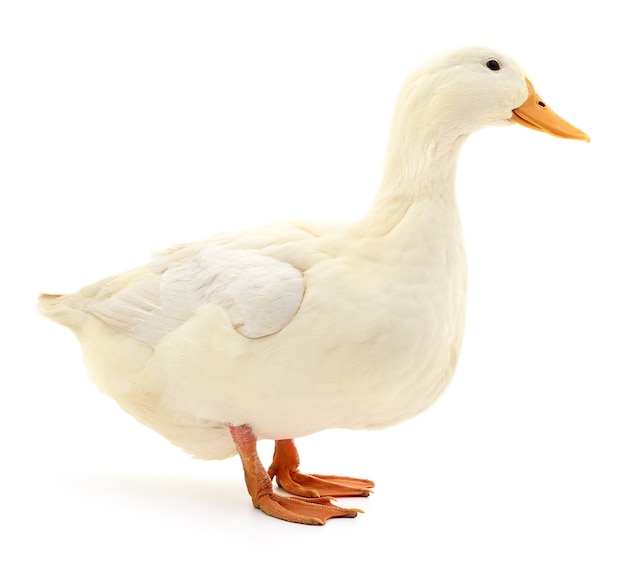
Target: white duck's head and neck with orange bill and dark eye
[447, 99]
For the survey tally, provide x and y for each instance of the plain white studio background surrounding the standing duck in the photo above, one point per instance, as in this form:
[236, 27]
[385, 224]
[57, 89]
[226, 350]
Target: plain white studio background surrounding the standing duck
[129, 126]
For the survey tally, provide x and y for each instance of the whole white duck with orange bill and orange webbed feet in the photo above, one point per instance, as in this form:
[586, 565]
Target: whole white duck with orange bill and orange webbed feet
[288, 329]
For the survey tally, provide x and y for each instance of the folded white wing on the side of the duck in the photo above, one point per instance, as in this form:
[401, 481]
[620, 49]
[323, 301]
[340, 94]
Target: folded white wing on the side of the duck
[259, 293]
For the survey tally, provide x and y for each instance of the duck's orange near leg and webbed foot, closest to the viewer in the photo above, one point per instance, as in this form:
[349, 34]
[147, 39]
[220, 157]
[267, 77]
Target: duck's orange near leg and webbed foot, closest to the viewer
[311, 511]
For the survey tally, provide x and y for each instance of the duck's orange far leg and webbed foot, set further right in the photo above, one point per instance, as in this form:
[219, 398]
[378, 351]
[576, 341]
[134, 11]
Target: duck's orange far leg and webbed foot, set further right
[285, 468]
